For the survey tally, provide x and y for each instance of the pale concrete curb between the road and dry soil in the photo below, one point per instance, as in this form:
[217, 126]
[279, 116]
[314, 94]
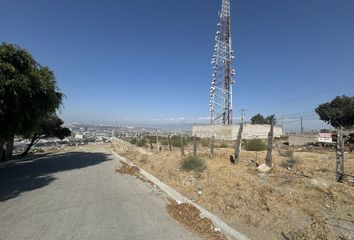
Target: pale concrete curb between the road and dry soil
[230, 232]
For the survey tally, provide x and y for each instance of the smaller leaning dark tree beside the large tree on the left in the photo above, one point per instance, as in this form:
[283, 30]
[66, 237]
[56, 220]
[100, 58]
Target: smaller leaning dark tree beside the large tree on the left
[50, 127]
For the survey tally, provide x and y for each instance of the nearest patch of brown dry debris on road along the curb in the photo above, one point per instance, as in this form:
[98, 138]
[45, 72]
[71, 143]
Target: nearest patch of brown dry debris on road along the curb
[189, 216]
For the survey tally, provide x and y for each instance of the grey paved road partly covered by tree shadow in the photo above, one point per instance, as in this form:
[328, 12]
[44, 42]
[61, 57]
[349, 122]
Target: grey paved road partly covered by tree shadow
[78, 195]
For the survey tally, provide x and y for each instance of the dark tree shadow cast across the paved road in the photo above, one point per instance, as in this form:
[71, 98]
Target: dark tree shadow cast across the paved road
[32, 174]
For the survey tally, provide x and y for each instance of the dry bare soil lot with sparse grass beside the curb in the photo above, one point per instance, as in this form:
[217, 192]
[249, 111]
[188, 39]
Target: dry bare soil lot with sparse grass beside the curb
[303, 202]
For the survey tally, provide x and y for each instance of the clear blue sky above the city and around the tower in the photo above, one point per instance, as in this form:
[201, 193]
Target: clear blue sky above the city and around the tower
[149, 61]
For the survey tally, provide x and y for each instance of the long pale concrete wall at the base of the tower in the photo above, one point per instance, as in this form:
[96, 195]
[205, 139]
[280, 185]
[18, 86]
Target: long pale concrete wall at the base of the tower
[230, 132]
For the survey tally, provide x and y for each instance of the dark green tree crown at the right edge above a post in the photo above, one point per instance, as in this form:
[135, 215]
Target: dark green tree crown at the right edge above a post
[339, 112]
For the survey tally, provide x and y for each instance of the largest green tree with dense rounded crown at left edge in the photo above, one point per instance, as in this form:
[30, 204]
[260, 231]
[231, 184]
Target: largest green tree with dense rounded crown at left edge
[28, 94]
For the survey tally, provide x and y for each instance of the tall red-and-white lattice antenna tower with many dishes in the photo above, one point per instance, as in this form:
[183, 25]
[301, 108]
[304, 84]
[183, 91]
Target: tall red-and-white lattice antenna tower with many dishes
[221, 85]
